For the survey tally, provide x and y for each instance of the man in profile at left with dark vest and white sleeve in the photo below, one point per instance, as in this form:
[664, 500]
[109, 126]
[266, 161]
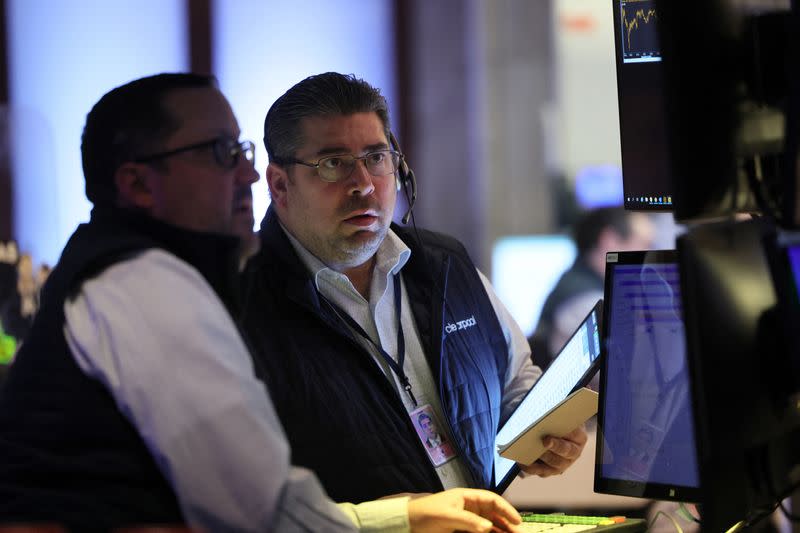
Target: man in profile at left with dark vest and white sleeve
[133, 401]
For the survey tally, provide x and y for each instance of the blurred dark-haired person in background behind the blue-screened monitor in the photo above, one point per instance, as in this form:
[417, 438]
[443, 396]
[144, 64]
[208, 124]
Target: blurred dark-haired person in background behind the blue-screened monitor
[596, 232]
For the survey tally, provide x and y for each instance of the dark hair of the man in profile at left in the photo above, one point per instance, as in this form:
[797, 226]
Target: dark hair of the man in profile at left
[126, 123]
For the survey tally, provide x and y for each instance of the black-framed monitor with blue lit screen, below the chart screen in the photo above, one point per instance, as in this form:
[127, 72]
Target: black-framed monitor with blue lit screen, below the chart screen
[645, 445]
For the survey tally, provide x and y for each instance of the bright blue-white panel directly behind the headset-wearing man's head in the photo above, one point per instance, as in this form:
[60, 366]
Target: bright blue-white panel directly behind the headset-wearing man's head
[263, 48]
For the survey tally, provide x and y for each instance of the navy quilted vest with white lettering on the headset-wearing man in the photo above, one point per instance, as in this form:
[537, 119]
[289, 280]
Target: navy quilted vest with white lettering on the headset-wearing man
[343, 418]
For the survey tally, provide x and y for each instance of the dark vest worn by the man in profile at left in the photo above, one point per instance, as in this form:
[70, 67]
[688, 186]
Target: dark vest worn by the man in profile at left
[67, 454]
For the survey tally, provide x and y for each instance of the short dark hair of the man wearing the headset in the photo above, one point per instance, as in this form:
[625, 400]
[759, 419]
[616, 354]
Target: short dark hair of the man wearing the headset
[328, 94]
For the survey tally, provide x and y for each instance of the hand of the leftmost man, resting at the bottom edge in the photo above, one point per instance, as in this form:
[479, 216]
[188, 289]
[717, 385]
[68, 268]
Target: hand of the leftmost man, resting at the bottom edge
[474, 510]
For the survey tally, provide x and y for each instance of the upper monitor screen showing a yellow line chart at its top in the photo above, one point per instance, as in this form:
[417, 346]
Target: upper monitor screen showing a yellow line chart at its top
[646, 179]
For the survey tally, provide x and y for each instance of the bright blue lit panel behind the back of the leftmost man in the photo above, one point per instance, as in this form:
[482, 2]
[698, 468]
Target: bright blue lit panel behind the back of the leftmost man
[63, 56]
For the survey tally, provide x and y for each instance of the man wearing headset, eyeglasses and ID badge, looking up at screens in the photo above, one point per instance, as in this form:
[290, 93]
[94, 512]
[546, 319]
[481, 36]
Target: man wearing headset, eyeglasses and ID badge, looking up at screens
[361, 325]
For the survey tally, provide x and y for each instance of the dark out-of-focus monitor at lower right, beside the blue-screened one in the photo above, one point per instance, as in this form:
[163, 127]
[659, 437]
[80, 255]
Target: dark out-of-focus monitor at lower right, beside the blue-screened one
[746, 425]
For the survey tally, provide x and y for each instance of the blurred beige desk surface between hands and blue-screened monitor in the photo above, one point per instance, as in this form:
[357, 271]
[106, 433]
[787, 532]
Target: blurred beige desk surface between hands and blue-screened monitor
[571, 490]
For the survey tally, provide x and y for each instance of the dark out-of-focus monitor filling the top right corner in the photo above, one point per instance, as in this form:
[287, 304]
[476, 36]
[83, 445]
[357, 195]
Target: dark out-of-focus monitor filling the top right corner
[730, 90]
